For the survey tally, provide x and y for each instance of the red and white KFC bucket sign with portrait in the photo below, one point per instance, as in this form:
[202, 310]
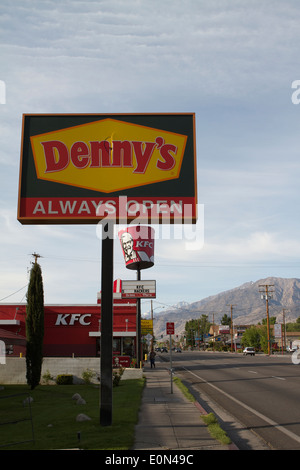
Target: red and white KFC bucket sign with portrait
[138, 247]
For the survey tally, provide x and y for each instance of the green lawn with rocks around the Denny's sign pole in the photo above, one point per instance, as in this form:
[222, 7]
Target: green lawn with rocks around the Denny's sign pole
[54, 417]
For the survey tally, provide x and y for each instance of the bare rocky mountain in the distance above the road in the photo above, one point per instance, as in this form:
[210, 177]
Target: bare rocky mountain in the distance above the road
[247, 305]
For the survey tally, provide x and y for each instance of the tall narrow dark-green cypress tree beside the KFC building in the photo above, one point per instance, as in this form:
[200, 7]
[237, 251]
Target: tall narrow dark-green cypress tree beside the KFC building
[34, 326]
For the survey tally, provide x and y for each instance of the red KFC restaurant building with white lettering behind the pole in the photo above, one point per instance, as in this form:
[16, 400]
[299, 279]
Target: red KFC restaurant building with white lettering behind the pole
[73, 330]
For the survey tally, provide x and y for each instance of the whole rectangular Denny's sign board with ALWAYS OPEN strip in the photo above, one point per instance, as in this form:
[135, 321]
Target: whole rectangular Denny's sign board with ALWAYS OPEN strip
[83, 168]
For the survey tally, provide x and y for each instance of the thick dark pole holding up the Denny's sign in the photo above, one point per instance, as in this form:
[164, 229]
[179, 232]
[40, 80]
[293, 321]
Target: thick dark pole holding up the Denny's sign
[106, 325]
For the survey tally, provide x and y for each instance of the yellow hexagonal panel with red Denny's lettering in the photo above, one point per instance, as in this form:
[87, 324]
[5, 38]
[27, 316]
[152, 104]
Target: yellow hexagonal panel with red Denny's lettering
[108, 155]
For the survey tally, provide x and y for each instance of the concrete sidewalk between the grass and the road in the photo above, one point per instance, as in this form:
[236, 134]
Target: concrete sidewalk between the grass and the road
[169, 421]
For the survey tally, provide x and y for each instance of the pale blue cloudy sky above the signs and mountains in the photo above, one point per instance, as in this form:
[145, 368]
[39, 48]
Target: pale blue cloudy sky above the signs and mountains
[233, 63]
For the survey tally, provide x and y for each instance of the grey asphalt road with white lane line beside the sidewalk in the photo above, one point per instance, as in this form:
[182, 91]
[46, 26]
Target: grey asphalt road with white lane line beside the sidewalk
[261, 393]
